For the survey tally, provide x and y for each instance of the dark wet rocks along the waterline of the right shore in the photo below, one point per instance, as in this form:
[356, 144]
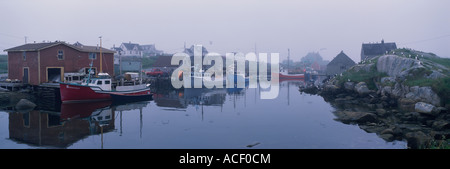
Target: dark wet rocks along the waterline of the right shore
[389, 117]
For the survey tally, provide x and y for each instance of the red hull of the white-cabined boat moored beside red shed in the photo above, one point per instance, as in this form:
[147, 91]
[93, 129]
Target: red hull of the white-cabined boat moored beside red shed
[75, 93]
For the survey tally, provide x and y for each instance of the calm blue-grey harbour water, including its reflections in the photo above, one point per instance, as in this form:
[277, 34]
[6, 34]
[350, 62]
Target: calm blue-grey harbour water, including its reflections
[190, 118]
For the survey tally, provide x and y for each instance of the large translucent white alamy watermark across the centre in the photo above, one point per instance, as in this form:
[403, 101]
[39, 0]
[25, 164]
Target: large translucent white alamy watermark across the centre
[189, 75]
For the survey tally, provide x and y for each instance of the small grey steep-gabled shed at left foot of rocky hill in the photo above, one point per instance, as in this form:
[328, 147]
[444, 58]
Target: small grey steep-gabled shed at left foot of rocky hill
[339, 64]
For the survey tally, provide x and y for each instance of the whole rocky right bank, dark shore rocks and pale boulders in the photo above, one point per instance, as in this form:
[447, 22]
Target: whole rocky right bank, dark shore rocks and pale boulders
[393, 110]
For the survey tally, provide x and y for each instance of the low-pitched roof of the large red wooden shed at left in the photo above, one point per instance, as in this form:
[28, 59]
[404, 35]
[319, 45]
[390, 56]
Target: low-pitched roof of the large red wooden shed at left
[40, 46]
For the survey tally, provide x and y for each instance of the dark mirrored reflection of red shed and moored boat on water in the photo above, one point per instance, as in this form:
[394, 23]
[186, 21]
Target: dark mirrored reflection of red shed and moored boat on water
[75, 121]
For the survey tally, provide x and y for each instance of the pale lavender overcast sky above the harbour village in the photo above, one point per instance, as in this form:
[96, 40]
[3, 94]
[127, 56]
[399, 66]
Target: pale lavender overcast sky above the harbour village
[328, 26]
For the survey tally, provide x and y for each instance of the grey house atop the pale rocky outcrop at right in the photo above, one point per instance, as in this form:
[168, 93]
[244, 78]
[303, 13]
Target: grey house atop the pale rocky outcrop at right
[370, 50]
